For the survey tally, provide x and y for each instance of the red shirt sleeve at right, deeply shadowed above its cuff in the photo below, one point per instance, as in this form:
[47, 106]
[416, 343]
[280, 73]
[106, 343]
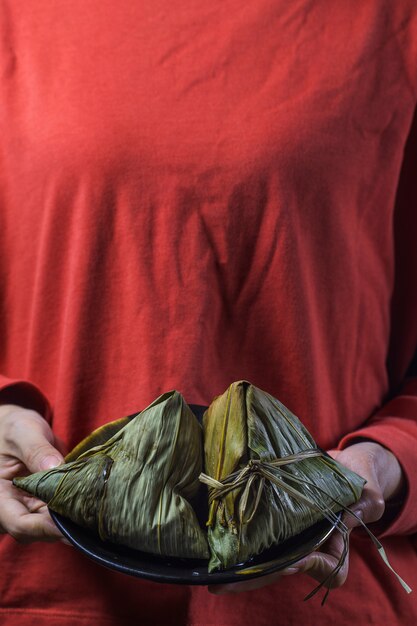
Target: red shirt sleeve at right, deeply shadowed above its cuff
[395, 425]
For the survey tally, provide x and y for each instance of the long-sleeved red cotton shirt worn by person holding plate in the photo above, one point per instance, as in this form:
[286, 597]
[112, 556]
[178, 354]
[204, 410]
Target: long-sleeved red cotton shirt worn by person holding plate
[193, 193]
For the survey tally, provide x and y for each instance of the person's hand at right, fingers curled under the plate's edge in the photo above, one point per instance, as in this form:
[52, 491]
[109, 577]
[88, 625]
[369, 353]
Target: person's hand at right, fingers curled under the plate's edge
[385, 481]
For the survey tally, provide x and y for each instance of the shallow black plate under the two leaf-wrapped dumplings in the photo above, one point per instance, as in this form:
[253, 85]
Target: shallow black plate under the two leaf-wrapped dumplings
[190, 571]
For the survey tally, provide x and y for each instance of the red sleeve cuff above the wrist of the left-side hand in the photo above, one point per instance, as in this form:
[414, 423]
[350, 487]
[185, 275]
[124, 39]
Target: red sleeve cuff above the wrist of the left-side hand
[25, 394]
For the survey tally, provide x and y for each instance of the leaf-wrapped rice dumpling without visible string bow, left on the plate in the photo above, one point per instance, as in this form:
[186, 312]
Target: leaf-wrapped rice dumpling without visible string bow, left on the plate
[132, 481]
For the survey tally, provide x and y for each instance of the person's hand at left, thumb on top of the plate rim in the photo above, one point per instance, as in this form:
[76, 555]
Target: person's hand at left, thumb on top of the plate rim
[27, 445]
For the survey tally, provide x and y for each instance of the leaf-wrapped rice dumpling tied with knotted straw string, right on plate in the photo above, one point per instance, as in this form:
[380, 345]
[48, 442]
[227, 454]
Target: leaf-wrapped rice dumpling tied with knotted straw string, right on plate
[267, 479]
